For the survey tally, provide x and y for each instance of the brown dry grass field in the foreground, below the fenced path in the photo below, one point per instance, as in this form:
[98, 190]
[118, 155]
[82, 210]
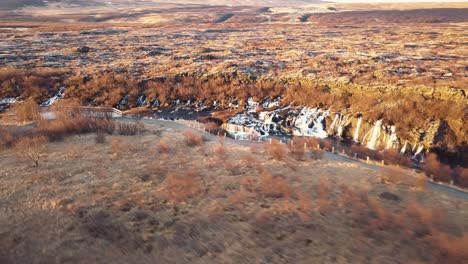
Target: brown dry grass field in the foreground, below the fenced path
[174, 195]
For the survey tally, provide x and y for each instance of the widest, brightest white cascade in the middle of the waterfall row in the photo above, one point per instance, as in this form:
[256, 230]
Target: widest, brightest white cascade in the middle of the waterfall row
[310, 123]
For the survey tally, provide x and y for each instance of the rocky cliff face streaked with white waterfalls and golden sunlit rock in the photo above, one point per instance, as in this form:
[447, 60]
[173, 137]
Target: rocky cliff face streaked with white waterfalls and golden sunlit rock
[316, 122]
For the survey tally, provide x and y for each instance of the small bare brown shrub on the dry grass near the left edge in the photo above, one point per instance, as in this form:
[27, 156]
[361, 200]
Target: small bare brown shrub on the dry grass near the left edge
[32, 148]
